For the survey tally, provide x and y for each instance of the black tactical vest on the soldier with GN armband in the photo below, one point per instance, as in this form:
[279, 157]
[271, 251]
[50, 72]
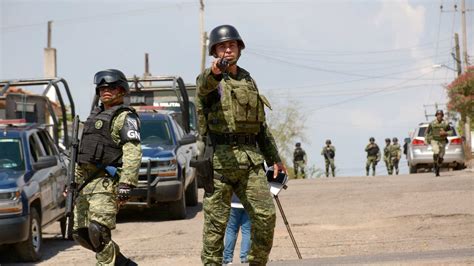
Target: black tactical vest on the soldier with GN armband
[97, 146]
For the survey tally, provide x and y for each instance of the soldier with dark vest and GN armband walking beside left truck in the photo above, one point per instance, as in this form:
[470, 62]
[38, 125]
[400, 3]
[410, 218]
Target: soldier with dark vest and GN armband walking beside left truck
[109, 158]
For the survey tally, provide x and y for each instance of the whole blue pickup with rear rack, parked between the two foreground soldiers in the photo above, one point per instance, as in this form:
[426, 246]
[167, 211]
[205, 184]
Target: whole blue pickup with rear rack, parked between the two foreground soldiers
[168, 144]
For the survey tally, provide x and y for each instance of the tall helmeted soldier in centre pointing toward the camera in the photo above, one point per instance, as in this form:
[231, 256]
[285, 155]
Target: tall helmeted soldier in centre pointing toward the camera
[231, 111]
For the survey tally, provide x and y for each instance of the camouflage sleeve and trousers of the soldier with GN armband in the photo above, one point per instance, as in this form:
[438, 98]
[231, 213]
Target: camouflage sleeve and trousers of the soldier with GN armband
[97, 201]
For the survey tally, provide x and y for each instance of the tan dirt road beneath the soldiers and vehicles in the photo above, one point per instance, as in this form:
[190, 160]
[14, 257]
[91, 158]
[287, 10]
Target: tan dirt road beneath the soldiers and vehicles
[347, 217]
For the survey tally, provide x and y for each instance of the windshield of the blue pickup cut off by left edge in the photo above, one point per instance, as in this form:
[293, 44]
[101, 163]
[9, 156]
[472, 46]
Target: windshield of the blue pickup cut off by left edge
[11, 155]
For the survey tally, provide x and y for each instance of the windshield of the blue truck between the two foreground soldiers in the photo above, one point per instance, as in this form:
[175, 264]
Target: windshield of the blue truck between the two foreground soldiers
[156, 132]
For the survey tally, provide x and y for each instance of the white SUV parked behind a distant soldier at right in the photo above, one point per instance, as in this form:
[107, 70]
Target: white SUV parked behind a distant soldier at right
[420, 153]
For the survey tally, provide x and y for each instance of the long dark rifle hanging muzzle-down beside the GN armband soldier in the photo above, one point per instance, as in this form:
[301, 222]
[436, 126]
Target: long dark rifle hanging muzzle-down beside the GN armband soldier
[71, 189]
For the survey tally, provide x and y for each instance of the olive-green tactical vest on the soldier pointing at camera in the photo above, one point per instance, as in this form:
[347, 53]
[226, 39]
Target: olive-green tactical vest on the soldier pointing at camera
[239, 108]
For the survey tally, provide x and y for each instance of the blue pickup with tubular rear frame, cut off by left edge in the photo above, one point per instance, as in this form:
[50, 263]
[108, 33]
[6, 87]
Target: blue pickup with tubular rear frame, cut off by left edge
[32, 167]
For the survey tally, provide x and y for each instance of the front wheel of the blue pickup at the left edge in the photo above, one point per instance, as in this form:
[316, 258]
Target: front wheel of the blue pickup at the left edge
[30, 250]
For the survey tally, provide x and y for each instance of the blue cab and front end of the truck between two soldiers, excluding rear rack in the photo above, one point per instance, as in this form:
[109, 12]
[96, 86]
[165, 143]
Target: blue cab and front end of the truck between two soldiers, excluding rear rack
[165, 175]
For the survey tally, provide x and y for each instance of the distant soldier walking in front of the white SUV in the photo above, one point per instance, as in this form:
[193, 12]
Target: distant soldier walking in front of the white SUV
[436, 135]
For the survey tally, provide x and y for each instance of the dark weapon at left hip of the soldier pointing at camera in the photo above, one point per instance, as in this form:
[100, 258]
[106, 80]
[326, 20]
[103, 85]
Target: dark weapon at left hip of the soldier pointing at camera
[204, 167]
